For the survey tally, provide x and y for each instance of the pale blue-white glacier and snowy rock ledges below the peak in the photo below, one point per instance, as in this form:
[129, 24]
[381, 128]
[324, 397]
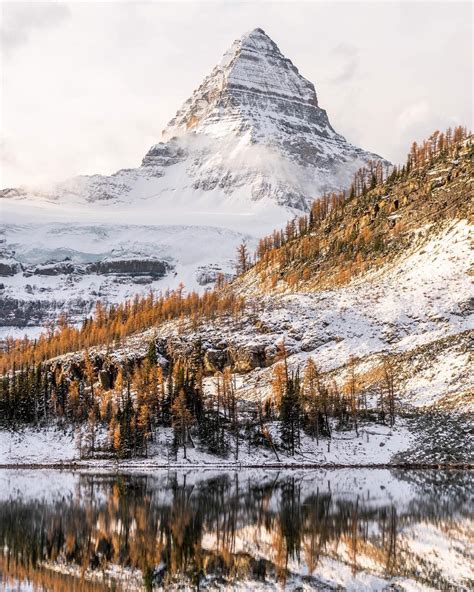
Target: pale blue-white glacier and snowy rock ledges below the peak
[59, 267]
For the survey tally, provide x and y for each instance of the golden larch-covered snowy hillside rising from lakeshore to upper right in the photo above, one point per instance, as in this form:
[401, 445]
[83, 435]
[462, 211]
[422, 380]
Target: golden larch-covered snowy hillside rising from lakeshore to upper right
[168, 368]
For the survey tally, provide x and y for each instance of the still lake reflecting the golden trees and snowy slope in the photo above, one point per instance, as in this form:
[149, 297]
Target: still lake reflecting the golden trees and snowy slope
[238, 530]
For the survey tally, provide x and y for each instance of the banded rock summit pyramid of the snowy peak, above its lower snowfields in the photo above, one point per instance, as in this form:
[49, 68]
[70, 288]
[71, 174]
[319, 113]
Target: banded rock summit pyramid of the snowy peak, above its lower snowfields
[258, 93]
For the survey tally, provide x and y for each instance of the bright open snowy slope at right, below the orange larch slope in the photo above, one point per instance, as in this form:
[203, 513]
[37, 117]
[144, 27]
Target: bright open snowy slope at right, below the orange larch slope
[420, 298]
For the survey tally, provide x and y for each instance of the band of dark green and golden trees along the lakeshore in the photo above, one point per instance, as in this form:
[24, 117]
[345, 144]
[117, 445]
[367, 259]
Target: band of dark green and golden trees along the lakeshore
[126, 414]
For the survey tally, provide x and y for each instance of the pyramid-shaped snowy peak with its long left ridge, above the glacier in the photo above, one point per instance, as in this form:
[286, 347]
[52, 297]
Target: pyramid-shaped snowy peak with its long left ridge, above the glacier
[252, 131]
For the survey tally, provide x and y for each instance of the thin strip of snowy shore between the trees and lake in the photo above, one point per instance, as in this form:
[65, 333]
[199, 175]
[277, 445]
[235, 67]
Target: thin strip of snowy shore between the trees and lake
[375, 445]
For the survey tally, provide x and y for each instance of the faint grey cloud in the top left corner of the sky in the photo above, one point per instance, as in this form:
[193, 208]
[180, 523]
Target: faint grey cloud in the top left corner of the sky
[20, 20]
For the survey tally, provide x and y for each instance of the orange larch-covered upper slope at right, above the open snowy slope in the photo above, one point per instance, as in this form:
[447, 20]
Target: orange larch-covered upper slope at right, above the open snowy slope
[349, 233]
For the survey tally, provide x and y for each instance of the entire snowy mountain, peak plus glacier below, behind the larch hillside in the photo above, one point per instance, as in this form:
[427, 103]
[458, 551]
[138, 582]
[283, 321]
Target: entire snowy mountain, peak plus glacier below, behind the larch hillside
[248, 150]
